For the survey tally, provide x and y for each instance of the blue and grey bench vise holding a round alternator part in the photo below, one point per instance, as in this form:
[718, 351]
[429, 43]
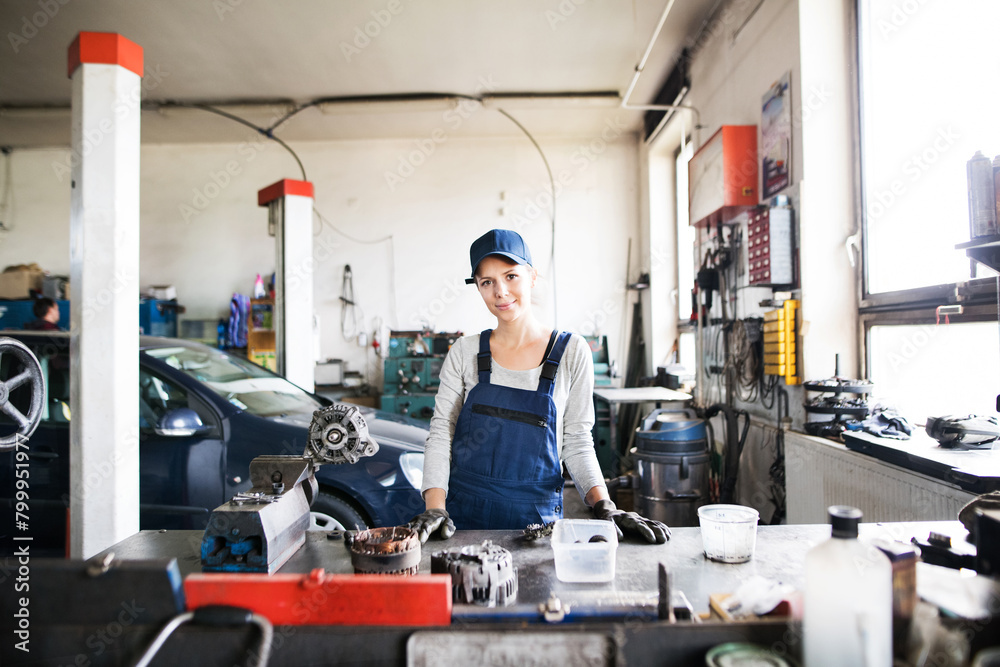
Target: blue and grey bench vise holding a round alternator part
[260, 529]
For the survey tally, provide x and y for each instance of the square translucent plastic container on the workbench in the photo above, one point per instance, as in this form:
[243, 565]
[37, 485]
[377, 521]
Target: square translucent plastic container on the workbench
[578, 560]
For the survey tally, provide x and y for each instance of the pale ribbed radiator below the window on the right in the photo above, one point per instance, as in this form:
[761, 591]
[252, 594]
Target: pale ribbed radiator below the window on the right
[820, 473]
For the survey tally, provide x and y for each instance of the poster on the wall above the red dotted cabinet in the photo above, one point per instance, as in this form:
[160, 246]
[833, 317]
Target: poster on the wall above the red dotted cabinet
[776, 137]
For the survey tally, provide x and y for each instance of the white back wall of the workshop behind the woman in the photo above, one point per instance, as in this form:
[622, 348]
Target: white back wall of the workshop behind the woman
[203, 232]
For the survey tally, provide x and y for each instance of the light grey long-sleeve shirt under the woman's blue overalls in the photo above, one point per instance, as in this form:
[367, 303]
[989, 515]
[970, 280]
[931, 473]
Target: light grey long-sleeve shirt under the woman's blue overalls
[572, 394]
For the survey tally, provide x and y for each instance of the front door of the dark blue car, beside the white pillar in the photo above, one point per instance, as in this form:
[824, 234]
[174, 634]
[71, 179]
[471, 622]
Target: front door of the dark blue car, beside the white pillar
[181, 469]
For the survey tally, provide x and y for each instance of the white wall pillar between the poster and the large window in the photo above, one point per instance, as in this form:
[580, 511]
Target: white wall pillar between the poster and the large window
[827, 196]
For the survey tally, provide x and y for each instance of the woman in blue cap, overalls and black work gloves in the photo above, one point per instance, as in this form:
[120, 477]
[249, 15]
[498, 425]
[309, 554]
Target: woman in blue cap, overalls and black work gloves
[514, 404]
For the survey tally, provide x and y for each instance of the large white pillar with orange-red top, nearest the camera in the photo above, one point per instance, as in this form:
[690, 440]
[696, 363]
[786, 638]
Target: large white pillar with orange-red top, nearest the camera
[106, 70]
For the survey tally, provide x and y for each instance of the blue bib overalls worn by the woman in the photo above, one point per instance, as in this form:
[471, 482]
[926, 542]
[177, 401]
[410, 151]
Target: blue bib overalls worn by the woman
[505, 468]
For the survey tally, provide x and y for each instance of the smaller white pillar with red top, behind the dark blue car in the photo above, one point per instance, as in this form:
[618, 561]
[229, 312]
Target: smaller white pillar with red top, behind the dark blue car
[290, 205]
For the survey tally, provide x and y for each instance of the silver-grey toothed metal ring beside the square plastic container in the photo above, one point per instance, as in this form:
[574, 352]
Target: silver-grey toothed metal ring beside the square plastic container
[483, 575]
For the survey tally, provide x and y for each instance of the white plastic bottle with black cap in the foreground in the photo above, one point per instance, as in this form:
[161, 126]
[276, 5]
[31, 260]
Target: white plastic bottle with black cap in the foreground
[848, 599]
